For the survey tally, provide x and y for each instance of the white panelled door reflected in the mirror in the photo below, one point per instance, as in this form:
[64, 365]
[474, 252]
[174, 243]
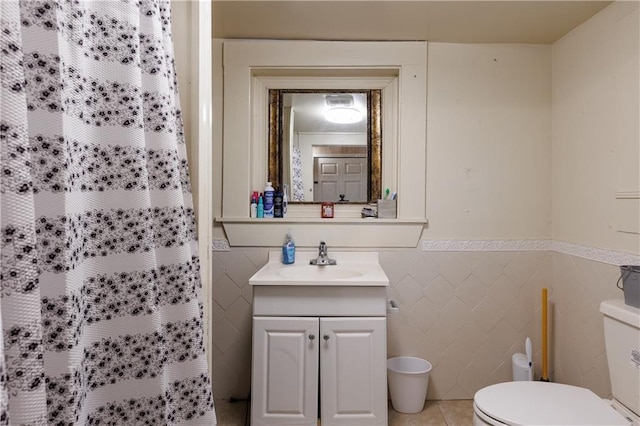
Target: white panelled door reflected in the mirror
[340, 175]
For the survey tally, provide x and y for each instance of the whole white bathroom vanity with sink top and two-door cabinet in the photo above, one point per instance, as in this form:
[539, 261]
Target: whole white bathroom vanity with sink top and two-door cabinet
[319, 341]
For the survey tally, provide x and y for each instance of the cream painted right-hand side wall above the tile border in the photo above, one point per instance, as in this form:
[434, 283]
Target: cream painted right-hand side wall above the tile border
[595, 133]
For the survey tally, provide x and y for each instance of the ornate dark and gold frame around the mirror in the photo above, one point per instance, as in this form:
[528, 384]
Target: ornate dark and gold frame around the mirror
[374, 138]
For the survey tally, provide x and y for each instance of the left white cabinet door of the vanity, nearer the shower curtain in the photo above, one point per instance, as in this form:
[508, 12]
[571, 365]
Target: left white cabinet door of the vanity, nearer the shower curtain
[284, 380]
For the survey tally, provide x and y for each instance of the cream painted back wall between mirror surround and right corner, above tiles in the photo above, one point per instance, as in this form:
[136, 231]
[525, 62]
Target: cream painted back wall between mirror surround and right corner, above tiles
[488, 141]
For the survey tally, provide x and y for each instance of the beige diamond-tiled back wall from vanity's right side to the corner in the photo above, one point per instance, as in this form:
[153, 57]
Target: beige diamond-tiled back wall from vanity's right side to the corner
[482, 307]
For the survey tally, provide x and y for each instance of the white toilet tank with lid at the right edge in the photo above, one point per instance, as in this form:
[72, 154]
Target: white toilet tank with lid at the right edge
[622, 340]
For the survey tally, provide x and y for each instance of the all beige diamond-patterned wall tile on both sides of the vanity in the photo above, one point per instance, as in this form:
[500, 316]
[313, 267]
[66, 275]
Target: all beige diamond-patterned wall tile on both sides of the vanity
[464, 310]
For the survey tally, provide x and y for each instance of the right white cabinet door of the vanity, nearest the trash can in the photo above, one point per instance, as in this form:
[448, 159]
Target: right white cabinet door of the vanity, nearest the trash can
[353, 371]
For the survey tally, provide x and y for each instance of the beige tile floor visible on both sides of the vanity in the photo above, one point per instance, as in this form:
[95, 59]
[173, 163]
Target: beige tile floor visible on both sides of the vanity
[441, 413]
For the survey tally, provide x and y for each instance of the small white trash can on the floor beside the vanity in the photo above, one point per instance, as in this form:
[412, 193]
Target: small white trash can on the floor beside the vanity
[408, 382]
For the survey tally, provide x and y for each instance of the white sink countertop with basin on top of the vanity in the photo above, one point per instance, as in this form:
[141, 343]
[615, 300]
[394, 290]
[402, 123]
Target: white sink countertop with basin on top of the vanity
[352, 269]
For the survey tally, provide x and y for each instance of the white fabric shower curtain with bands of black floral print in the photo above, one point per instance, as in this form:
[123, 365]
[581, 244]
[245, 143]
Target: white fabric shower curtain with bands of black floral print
[100, 314]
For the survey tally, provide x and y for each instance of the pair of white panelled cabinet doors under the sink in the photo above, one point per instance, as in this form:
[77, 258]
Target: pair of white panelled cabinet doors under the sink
[292, 356]
